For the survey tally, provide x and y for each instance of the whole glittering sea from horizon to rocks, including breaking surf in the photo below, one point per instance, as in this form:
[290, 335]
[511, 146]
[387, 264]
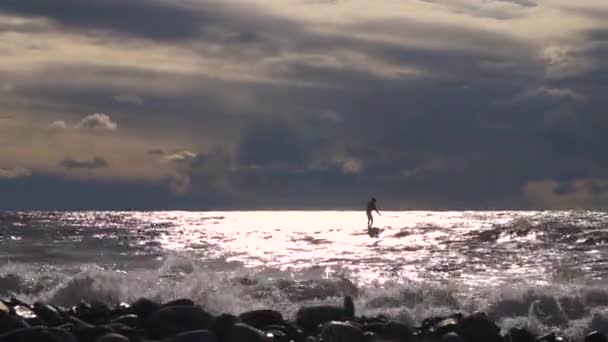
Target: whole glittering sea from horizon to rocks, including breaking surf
[540, 270]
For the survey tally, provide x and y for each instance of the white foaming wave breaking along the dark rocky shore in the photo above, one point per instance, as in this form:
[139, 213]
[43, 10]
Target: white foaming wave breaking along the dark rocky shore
[222, 286]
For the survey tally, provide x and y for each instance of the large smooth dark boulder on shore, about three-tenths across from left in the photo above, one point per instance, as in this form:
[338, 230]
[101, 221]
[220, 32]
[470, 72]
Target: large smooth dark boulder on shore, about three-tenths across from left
[172, 320]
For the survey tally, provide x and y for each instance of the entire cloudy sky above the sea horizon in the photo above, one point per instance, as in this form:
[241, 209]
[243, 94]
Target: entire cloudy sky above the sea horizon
[303, 104]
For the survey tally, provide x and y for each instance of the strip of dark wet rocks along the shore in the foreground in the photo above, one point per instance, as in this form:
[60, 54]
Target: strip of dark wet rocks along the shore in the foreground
[184, 321]
